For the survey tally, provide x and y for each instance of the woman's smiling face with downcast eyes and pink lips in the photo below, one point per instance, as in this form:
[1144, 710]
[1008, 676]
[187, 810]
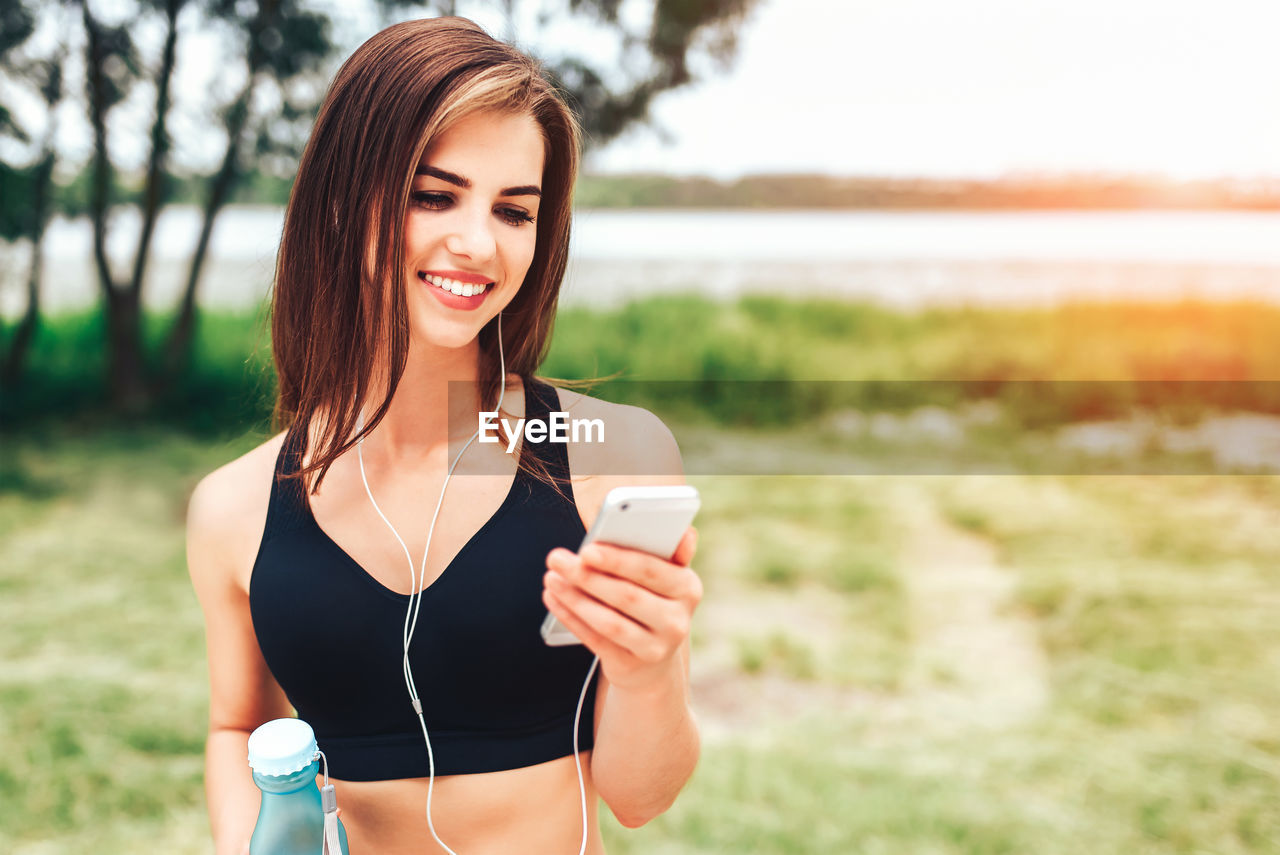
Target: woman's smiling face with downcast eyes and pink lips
[470, 226]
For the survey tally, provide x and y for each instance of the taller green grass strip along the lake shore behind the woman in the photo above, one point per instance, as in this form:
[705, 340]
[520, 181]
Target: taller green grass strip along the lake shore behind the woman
[688, 358]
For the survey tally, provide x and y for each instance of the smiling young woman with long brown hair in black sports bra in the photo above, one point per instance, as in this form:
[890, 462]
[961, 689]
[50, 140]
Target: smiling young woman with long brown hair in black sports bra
[417, 285]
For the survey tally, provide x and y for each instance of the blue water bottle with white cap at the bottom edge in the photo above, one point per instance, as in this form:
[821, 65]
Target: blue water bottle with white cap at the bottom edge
[294, 820]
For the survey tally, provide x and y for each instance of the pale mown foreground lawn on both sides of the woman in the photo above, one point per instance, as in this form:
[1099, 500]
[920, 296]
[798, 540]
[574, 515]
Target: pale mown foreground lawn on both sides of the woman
[884, 665]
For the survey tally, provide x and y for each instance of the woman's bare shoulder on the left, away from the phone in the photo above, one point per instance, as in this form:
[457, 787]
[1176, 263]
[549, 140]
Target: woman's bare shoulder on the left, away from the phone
[227, 510]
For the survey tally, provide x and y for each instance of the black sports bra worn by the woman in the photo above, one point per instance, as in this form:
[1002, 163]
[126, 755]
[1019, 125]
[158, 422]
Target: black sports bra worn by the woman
[493, 696]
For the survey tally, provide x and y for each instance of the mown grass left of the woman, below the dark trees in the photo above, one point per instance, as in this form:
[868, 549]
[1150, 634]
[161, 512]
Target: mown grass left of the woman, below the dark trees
[104, 710]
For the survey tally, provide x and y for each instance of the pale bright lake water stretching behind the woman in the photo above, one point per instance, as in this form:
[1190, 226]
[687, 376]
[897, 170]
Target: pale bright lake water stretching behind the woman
[904, 259]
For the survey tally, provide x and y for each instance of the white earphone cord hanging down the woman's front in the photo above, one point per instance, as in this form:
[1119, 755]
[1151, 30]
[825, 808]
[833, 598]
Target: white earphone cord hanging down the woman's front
[417, 602]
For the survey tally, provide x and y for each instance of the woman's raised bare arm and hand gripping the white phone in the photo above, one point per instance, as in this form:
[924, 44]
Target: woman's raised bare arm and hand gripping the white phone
[634, 611]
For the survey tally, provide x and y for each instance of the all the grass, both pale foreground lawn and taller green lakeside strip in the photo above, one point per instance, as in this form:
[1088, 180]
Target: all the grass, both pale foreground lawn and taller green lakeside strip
[1156, 600]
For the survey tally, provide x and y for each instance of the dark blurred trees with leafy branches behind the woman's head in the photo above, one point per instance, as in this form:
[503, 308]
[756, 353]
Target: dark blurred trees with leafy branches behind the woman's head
[286, 51]
